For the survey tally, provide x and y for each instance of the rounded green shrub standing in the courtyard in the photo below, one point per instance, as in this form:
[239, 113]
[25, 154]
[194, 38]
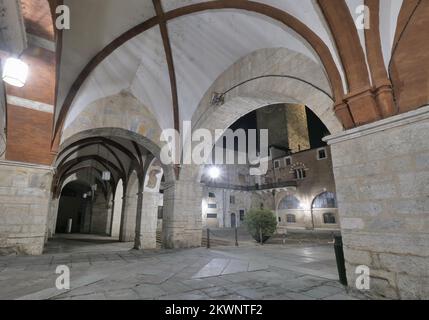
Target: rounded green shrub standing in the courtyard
[261, 220]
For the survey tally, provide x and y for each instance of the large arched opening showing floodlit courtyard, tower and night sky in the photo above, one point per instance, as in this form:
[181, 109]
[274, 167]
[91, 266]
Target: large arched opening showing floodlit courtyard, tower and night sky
[298, 170]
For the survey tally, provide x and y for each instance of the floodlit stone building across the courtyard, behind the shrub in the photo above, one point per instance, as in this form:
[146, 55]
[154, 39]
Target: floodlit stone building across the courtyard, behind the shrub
[299, 188]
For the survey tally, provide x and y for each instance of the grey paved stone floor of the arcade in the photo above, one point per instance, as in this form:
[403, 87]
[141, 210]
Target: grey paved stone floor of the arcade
[102, 269]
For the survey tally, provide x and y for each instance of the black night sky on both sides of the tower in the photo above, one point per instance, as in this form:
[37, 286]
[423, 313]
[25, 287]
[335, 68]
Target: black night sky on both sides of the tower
[317, 130]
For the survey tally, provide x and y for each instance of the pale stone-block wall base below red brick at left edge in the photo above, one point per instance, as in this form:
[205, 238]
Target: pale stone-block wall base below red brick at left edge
[24, 206]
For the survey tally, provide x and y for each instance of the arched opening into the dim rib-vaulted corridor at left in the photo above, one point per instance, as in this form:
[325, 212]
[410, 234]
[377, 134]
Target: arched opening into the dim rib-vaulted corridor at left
[120, 176]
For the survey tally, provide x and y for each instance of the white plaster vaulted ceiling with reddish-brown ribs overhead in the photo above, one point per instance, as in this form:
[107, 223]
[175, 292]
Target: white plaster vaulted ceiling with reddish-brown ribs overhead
[203, 45]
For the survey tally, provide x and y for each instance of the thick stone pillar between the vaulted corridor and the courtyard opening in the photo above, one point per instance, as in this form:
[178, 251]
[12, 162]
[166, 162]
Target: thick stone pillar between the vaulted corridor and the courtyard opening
[182, 223]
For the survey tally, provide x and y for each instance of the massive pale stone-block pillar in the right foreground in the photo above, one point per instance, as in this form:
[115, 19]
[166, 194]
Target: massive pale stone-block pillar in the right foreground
[382, 177]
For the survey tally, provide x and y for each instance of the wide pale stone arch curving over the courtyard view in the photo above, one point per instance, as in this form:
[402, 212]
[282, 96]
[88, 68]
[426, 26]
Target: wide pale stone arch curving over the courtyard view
[265, 77]
